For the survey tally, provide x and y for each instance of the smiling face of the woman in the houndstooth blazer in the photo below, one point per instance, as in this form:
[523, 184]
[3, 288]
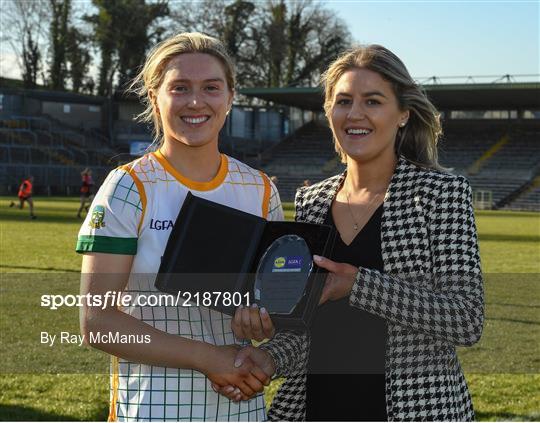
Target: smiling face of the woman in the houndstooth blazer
[365, 115]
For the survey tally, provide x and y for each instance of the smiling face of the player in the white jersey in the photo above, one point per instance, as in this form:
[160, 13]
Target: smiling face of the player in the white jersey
[193, 99]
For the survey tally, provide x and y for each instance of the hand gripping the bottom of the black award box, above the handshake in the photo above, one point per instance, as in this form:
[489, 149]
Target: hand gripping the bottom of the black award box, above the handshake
[252, 323]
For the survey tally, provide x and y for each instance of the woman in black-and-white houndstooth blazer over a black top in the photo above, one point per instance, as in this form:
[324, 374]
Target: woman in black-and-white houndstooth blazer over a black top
[429, 291]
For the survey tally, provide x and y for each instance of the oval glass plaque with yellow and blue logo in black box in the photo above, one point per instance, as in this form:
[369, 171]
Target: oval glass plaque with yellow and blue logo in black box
[282, 274]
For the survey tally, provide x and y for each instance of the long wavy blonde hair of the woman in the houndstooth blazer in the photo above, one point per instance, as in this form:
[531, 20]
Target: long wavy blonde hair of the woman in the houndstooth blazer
[417, 141]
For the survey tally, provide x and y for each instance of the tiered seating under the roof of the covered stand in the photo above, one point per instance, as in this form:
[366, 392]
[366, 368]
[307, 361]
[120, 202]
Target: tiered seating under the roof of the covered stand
[309, 154]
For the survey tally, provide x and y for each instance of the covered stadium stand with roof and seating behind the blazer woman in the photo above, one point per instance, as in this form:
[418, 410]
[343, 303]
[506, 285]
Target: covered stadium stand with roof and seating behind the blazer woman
[491, 135]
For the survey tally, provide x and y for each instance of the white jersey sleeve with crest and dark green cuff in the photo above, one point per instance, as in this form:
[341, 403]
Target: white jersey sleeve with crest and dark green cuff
[111, 225]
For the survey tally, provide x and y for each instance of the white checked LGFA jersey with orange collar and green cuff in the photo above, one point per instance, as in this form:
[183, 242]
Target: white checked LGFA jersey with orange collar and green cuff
[133, 213]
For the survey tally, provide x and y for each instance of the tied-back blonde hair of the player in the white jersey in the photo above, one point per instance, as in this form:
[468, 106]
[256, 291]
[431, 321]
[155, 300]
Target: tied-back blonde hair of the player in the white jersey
[151, 75]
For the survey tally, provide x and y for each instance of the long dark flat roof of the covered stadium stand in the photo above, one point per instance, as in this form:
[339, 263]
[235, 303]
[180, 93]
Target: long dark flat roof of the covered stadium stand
[494, 96]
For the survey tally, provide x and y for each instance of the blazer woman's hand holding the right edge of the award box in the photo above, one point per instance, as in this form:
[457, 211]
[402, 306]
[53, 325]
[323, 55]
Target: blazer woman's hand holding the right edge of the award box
[340, 279]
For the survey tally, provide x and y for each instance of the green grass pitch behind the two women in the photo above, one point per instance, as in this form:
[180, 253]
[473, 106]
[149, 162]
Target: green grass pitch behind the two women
[38, 256]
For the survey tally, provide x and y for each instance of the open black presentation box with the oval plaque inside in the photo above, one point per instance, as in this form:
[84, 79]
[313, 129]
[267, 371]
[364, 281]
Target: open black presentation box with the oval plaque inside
[270, 261]
